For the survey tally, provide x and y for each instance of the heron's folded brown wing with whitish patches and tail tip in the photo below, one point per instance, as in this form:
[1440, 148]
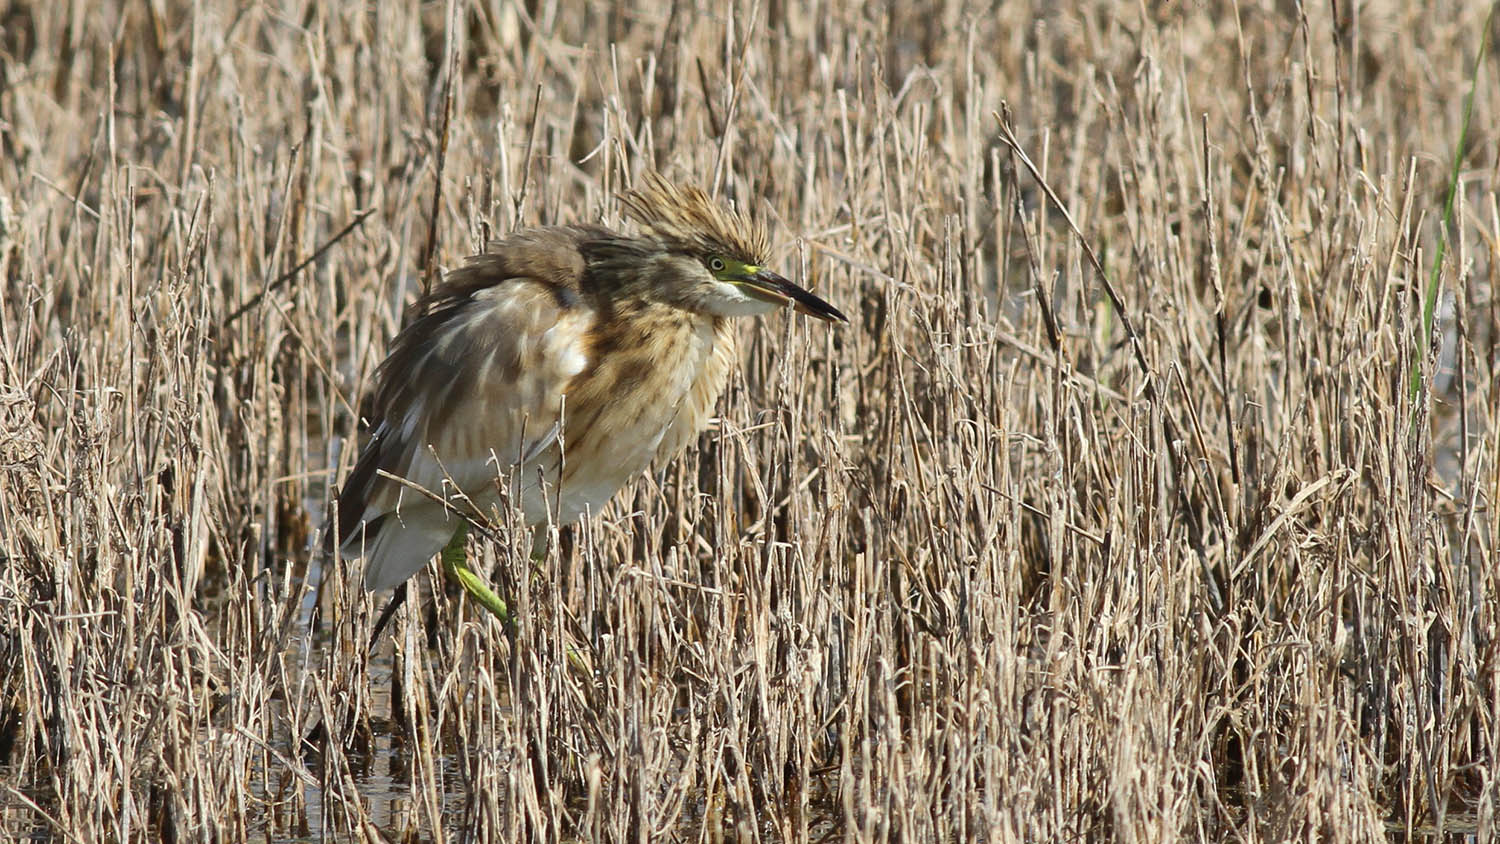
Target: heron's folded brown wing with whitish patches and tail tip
[470, 389]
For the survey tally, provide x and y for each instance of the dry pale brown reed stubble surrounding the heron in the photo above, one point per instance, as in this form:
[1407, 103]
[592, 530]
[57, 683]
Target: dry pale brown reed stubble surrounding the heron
[997, 561]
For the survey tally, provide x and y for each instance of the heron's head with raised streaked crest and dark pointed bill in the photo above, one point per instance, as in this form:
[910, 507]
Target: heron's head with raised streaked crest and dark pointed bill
[712, 259]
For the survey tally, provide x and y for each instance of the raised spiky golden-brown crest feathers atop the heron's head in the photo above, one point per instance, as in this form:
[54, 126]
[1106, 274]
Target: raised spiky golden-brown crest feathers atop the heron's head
[686, 218]
